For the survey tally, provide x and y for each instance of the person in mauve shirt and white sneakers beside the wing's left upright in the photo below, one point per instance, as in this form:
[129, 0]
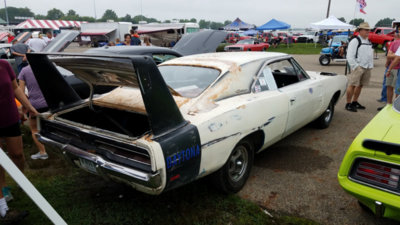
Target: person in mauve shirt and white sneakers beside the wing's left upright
[36, 98]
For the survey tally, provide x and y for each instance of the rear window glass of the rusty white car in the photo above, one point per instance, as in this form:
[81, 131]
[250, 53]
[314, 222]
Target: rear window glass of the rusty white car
[188, 81]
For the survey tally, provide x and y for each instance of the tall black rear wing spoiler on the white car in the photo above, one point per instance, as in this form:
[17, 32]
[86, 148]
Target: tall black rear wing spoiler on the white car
[133, 71]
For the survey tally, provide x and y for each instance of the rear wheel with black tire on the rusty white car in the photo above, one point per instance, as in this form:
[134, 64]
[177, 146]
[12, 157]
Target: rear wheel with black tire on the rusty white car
[233, 175]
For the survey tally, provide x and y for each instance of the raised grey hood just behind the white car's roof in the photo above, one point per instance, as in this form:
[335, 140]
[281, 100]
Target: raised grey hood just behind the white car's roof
[200, 42]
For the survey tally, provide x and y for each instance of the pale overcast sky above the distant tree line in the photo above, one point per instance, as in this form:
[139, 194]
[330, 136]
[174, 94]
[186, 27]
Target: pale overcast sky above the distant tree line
[298, 13]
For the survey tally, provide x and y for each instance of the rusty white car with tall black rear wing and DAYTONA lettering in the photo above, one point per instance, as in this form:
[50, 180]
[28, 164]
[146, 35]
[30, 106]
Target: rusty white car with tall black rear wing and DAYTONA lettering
[163, 127]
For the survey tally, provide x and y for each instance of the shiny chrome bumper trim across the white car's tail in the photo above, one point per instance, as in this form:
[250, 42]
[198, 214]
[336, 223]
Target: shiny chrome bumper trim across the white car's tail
[104, 167]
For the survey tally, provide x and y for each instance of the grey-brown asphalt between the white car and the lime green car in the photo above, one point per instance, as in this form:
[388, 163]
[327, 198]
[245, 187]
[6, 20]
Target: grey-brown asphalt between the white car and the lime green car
[298, 175]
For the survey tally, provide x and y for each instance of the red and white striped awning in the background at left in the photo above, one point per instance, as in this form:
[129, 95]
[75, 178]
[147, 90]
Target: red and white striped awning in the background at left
[49, 24]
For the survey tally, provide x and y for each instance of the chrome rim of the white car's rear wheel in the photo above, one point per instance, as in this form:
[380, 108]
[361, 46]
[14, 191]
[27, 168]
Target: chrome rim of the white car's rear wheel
[238, 162]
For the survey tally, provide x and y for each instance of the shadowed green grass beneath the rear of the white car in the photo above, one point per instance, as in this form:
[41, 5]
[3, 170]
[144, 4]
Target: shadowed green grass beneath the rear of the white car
[82, 198]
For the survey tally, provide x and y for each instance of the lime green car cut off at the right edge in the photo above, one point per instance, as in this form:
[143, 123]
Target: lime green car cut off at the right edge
[370, 170]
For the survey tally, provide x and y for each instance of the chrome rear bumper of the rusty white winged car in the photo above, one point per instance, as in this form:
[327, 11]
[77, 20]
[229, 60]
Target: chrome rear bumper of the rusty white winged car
[150, 183]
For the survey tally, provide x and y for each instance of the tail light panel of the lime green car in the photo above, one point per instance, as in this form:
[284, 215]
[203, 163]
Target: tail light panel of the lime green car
[378, 174]
